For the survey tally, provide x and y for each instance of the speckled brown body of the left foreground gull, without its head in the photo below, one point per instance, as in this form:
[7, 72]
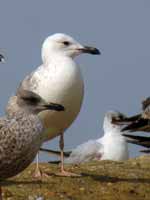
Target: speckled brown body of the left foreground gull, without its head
[20, 140]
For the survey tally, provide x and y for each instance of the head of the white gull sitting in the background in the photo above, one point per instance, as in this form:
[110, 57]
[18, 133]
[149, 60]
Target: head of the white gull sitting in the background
[108, 125]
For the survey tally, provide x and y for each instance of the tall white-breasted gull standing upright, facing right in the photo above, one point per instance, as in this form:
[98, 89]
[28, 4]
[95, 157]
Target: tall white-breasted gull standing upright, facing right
[59, 79]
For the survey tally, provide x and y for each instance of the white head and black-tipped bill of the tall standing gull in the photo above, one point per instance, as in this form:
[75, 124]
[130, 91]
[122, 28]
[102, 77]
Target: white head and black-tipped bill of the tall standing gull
[64, 45]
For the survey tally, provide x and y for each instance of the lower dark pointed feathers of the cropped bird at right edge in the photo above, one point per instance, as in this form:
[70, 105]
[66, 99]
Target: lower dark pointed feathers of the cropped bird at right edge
[139, 140]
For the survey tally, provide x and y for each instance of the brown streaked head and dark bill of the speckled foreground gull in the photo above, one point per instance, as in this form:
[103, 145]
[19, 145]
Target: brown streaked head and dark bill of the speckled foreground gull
[34, 104]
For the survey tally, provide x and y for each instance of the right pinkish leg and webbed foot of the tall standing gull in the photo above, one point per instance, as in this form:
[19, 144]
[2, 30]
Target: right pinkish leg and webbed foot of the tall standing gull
[63, 172]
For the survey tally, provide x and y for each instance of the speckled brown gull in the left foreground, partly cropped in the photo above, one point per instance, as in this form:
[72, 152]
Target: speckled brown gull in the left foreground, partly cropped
[21, 133]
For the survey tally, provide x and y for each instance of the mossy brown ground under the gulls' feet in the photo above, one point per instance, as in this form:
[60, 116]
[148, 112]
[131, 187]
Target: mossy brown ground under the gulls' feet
[105, 180]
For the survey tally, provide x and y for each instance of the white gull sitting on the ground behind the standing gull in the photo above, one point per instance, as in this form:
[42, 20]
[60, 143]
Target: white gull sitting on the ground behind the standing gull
[112, 146]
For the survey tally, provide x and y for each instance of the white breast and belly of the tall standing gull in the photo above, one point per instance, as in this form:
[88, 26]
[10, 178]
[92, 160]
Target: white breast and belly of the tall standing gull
[60, 82]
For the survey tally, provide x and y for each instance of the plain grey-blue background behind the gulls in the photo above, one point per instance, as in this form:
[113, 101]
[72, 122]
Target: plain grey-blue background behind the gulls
[118, 79]
